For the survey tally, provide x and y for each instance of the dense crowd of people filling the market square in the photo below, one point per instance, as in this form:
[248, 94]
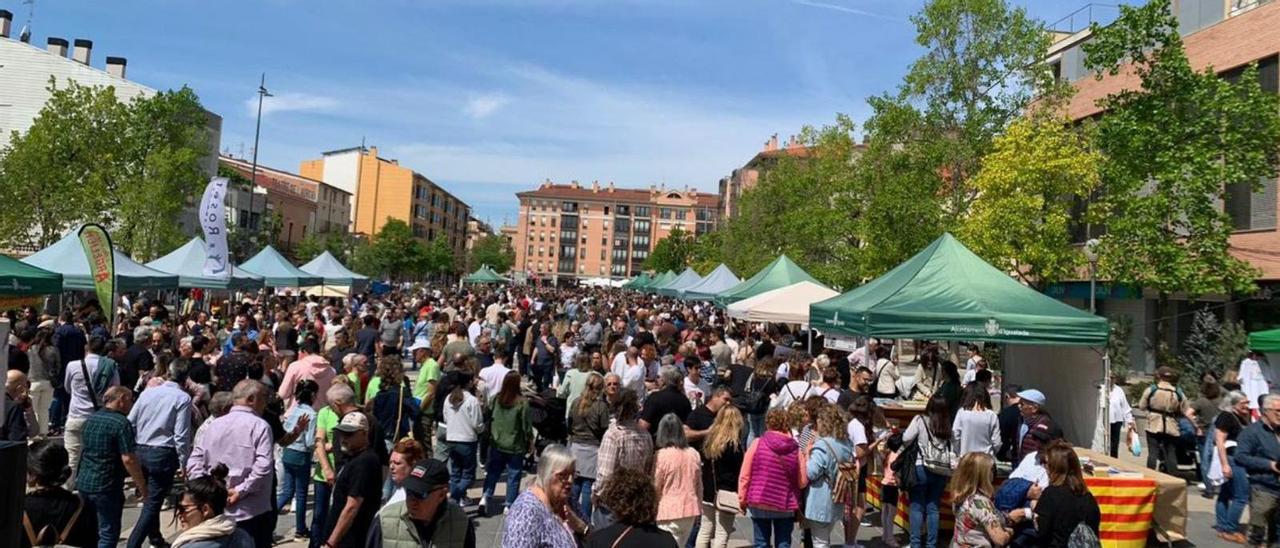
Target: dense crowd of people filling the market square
[643, 422]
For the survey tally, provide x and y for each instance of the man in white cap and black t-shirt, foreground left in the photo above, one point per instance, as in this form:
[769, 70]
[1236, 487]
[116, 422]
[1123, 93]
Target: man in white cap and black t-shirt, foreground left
[358, 488]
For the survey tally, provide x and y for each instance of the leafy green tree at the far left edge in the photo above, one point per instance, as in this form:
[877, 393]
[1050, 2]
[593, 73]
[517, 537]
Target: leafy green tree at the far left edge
[58, 173]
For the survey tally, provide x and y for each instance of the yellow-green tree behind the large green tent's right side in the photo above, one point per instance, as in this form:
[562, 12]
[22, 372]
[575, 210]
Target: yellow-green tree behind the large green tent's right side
[1022, 220]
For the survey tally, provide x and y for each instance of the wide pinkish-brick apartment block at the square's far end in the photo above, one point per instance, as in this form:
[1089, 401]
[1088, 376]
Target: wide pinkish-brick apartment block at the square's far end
[569, 232]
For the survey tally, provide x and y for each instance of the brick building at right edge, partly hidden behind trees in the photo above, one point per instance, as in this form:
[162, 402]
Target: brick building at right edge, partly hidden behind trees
[1228, 36]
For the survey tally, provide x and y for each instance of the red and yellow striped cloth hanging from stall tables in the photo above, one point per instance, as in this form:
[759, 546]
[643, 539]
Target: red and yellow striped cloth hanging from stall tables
[1127, 506]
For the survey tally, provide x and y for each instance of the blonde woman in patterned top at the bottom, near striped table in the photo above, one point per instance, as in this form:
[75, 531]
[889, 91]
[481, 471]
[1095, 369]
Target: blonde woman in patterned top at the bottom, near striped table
[977, 522]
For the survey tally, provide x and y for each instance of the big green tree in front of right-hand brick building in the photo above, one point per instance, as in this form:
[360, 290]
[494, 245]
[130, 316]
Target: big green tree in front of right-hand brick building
[1173, 148]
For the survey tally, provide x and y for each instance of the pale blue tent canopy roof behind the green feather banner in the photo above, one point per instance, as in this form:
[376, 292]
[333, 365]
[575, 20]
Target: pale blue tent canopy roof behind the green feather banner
[67, 258]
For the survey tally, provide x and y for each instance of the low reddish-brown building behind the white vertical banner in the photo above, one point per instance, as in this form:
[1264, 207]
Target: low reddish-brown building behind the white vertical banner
[307, 207]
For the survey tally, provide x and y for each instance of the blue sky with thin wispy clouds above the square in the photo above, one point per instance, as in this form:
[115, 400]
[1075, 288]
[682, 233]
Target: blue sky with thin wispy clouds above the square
[490, 98]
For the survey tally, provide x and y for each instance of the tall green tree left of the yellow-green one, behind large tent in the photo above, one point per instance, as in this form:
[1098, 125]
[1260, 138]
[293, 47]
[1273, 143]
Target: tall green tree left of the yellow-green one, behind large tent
[982, 66]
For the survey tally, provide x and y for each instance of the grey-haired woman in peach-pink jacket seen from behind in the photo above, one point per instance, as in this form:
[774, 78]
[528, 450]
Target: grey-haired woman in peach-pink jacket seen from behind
[679, 479]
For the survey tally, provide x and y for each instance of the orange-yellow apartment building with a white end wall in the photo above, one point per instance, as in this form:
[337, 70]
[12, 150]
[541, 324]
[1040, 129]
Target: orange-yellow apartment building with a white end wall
[386, 190]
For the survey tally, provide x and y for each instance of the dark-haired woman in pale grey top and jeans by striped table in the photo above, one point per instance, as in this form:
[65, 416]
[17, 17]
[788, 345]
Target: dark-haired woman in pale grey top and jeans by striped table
[932, 433]
